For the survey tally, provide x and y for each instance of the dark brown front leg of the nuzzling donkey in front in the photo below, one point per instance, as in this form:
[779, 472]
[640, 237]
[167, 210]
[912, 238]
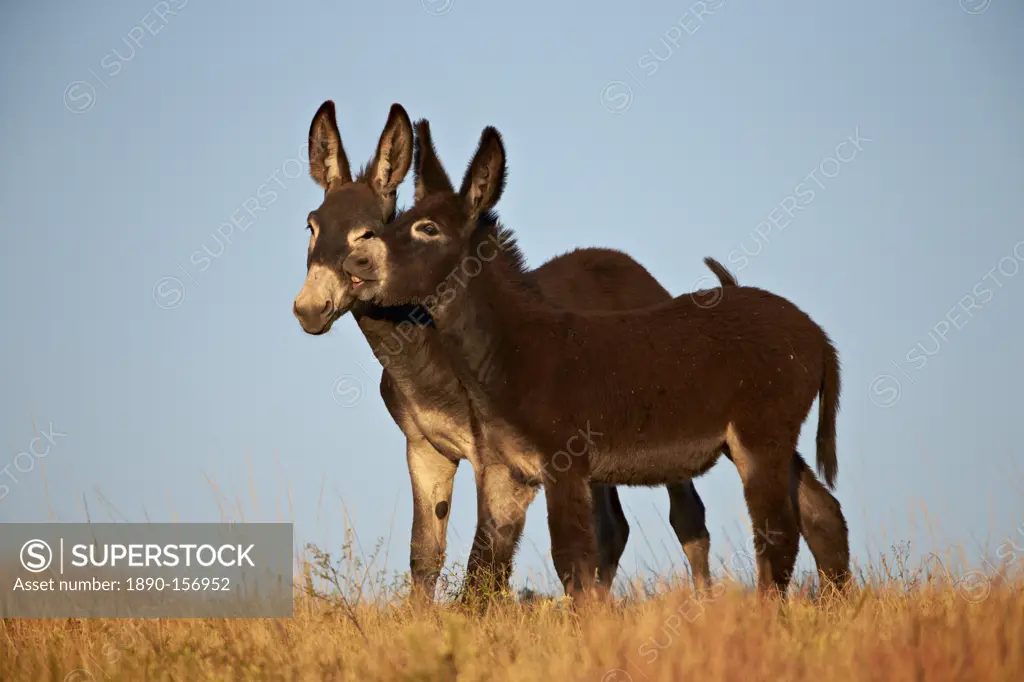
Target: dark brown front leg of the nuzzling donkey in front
[574, 546]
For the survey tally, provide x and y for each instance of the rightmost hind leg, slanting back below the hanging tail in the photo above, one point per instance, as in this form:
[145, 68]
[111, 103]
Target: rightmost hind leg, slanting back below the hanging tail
[823, 526]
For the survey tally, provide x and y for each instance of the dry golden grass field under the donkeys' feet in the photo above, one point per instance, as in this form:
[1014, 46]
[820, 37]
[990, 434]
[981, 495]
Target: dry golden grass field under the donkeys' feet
[897, 624]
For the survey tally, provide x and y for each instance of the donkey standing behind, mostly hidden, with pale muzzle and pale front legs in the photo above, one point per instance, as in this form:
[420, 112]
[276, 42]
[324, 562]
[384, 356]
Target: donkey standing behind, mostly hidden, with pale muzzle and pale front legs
[422, 392]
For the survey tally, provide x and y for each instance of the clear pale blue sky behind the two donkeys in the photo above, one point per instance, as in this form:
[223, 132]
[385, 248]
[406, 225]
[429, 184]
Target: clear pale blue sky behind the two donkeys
[133, 132]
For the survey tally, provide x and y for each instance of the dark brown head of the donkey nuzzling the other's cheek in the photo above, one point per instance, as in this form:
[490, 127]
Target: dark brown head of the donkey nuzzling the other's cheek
[410, 262]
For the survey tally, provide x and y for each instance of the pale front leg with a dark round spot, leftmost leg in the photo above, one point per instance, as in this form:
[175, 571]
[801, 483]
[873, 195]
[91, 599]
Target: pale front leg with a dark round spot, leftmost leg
[433, 476]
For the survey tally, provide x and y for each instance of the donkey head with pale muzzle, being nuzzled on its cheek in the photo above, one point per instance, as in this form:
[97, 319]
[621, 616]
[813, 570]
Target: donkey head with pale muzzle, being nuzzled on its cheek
[353, 210]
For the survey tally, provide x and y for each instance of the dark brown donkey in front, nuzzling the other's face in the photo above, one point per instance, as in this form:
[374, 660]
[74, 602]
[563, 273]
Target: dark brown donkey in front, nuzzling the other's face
[657, 394]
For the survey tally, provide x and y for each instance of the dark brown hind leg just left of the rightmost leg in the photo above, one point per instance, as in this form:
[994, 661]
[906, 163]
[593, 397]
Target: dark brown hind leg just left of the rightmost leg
[766, 472]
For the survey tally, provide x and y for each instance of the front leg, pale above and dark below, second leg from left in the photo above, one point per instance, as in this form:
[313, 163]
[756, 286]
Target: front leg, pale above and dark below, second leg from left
[502, 504]
